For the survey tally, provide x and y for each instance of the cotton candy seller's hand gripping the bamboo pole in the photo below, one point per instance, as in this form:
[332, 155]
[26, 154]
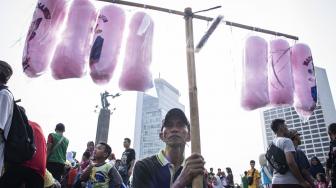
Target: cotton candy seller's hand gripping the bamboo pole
[194, 166]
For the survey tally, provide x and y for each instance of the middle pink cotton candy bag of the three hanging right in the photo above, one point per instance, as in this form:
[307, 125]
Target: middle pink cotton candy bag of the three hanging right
[280, 74]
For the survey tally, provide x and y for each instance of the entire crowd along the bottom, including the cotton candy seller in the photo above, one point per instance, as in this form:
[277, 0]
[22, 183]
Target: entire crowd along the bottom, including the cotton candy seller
[53, 166]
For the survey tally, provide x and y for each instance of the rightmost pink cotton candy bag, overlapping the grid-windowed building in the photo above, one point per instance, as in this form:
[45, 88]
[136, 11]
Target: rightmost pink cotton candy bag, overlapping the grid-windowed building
[305, 94]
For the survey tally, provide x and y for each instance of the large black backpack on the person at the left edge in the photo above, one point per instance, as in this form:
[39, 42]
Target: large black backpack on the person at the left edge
[19, 145]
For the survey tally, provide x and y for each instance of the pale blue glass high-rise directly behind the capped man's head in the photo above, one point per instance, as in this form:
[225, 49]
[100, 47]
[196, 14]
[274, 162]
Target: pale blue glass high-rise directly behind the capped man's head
[150, 112]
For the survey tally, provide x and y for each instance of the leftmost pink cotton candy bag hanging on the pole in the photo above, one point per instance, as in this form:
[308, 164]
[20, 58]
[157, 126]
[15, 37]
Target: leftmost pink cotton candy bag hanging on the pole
[42, 36]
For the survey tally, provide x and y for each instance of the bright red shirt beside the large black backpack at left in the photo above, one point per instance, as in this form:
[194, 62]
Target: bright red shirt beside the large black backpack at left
[38, 162]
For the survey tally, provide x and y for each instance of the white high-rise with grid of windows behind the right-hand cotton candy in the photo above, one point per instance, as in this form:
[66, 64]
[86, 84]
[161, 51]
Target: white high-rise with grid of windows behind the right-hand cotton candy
[315, 139]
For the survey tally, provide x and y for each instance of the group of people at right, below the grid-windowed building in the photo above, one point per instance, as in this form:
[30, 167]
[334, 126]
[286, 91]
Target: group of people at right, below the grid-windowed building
[300, 171]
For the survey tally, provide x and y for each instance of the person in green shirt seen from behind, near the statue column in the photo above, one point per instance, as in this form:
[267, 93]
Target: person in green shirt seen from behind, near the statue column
[57, 145]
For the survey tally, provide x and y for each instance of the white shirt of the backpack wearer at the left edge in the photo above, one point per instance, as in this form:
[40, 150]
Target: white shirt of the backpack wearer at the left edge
[6, 114]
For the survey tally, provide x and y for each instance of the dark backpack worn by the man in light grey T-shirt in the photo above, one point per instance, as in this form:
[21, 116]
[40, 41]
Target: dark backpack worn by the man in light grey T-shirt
[277, 159]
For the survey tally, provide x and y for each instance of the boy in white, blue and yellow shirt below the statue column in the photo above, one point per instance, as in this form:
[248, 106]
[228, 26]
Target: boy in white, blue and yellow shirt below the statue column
[100, 174]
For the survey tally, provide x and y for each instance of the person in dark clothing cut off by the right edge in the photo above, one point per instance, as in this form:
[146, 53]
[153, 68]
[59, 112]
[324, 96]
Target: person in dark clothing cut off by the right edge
[331, 161]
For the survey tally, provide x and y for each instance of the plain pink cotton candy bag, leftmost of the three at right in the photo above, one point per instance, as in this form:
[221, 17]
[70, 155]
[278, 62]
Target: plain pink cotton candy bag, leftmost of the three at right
[255, 88]
